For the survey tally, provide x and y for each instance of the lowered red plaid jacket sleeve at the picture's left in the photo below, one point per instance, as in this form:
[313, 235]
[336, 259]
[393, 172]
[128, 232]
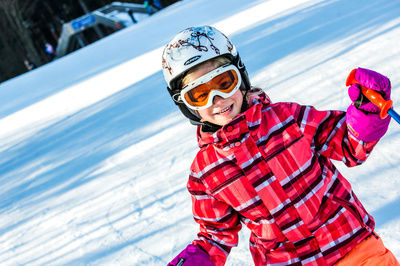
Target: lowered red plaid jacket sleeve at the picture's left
[219, 222]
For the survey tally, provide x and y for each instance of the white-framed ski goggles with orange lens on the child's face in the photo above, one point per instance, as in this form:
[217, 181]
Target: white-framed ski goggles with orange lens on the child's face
[223, 81]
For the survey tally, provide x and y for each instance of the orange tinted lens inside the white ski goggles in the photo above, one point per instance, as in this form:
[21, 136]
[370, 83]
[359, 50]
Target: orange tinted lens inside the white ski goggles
[225, 82]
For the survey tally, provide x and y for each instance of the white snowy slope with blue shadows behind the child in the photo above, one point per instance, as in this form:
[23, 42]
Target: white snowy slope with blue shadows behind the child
[94, 156]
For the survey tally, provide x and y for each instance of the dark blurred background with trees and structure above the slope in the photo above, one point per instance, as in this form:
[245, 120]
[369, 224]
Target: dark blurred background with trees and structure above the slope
[33, 33]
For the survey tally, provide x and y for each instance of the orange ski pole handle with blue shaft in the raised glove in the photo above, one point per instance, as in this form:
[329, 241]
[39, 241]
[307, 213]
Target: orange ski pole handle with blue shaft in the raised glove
[377, 99]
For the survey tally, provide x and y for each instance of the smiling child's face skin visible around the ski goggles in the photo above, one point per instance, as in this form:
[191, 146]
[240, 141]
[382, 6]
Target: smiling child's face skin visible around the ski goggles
[223, 110]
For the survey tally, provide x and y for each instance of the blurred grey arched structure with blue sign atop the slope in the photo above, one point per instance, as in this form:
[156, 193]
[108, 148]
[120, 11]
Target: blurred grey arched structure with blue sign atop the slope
[99, 23]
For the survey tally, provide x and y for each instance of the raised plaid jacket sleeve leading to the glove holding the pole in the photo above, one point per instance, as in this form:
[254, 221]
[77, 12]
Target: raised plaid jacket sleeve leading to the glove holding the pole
[329, 135]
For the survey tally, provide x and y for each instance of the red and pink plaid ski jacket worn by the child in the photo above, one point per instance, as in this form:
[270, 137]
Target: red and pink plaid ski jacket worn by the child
[270, 168]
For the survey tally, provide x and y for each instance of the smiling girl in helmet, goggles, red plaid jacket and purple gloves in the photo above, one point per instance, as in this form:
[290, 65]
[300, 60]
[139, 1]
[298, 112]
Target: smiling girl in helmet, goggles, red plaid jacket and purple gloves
[268, 165]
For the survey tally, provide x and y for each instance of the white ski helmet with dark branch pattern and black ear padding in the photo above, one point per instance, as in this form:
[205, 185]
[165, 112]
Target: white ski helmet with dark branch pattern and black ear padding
[192, 47]
